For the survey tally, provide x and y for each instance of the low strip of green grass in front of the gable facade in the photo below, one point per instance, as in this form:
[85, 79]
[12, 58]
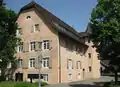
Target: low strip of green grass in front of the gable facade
[20, 84]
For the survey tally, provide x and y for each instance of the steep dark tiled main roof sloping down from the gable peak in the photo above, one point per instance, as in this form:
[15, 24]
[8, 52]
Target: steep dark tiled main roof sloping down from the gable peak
[54, 21]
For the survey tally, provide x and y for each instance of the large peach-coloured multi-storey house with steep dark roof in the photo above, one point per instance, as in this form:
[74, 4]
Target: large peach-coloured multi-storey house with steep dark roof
[65, 57]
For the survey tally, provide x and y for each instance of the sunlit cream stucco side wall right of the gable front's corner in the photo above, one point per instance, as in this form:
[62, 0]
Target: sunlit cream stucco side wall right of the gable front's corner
[78, 74]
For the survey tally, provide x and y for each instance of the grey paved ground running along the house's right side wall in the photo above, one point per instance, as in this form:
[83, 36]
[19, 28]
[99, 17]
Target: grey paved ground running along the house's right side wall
[86, 83]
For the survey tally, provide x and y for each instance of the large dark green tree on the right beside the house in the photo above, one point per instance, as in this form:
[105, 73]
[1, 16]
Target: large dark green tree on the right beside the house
[105, 32]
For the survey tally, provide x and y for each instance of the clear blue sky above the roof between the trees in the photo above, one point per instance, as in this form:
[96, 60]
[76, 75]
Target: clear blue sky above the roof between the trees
[76, 13]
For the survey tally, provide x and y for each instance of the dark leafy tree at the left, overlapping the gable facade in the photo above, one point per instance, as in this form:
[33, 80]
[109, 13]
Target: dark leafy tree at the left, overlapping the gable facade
[8, 40]
